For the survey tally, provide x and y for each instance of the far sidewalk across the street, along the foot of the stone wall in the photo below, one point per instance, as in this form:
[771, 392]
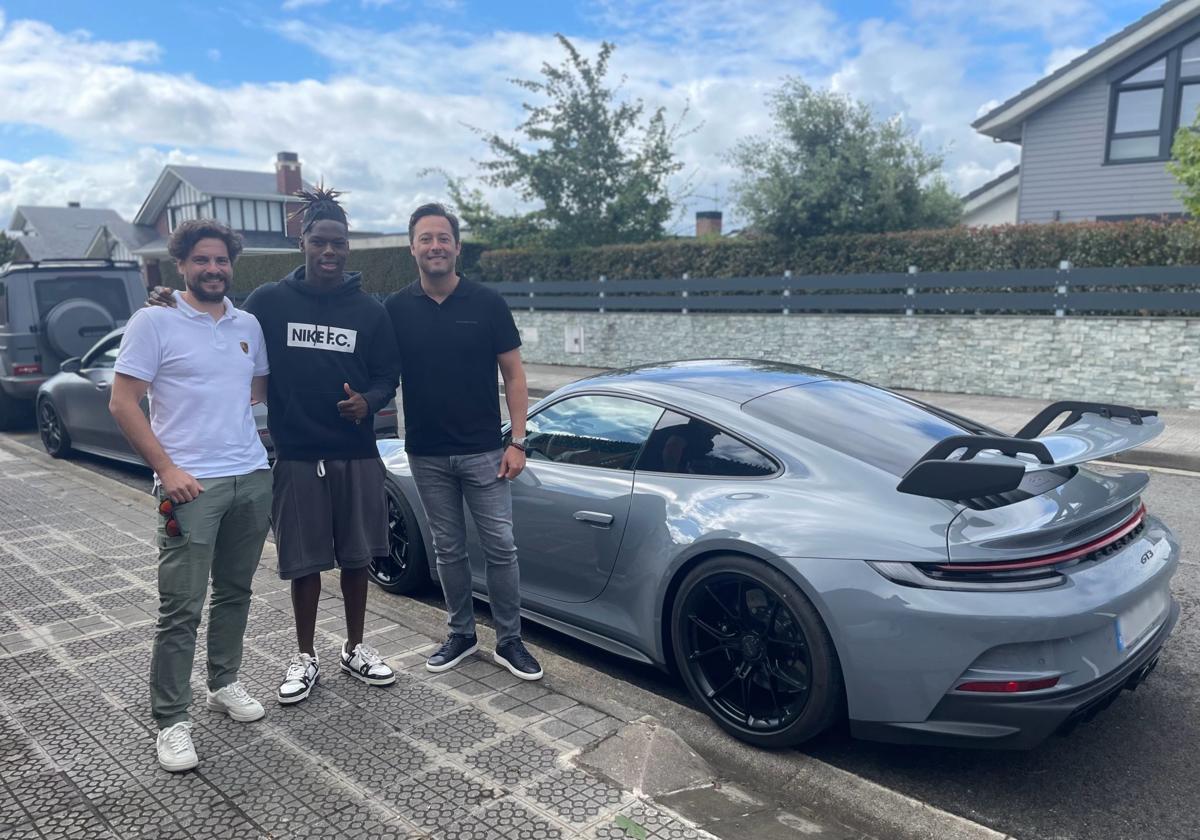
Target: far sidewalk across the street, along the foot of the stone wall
[1178, 447]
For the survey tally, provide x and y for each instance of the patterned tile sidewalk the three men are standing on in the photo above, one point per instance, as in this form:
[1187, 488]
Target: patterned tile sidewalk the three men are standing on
[473, 753]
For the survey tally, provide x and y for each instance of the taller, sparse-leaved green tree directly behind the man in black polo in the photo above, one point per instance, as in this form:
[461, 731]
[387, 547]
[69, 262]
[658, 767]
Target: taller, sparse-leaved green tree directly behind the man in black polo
[596, 166]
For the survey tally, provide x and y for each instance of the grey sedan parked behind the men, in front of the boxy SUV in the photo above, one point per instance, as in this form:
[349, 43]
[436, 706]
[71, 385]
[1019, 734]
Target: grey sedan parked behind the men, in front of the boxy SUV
[73, 409]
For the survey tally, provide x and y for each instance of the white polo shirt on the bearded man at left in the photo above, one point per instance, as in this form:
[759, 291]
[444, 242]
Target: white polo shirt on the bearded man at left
[200, 373]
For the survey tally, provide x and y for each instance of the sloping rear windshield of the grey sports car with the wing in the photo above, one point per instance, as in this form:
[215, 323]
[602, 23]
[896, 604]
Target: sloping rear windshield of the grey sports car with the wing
[881, 429]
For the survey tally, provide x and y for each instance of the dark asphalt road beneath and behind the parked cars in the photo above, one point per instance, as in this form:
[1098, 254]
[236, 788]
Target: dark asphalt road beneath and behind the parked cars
[1131, 773]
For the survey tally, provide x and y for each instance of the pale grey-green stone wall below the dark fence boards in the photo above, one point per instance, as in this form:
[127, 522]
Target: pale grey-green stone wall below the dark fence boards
[1144, 362]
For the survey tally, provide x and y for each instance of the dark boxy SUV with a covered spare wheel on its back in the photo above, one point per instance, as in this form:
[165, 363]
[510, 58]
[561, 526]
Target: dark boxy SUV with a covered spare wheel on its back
[56, 310]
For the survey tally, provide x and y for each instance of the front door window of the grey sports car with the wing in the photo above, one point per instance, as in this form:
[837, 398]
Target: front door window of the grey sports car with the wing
[591, 431]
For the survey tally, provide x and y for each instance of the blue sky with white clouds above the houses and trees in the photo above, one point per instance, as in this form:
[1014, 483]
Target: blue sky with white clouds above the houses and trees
[375, 93]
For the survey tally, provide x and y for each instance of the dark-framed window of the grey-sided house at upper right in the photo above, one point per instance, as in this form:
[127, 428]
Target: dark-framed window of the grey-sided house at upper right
[1151, 104]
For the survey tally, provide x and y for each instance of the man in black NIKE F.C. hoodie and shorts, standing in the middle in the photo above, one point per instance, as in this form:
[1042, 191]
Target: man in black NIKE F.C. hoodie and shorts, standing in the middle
[333, 358]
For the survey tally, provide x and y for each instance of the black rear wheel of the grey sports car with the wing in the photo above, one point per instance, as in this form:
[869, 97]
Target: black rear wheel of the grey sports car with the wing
[755, 653]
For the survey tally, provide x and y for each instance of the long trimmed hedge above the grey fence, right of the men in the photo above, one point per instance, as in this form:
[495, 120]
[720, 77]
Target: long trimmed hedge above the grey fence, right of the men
[1011, 247]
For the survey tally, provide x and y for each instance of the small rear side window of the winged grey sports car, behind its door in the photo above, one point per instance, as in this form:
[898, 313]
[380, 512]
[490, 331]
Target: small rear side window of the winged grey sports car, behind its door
[685, 446]
